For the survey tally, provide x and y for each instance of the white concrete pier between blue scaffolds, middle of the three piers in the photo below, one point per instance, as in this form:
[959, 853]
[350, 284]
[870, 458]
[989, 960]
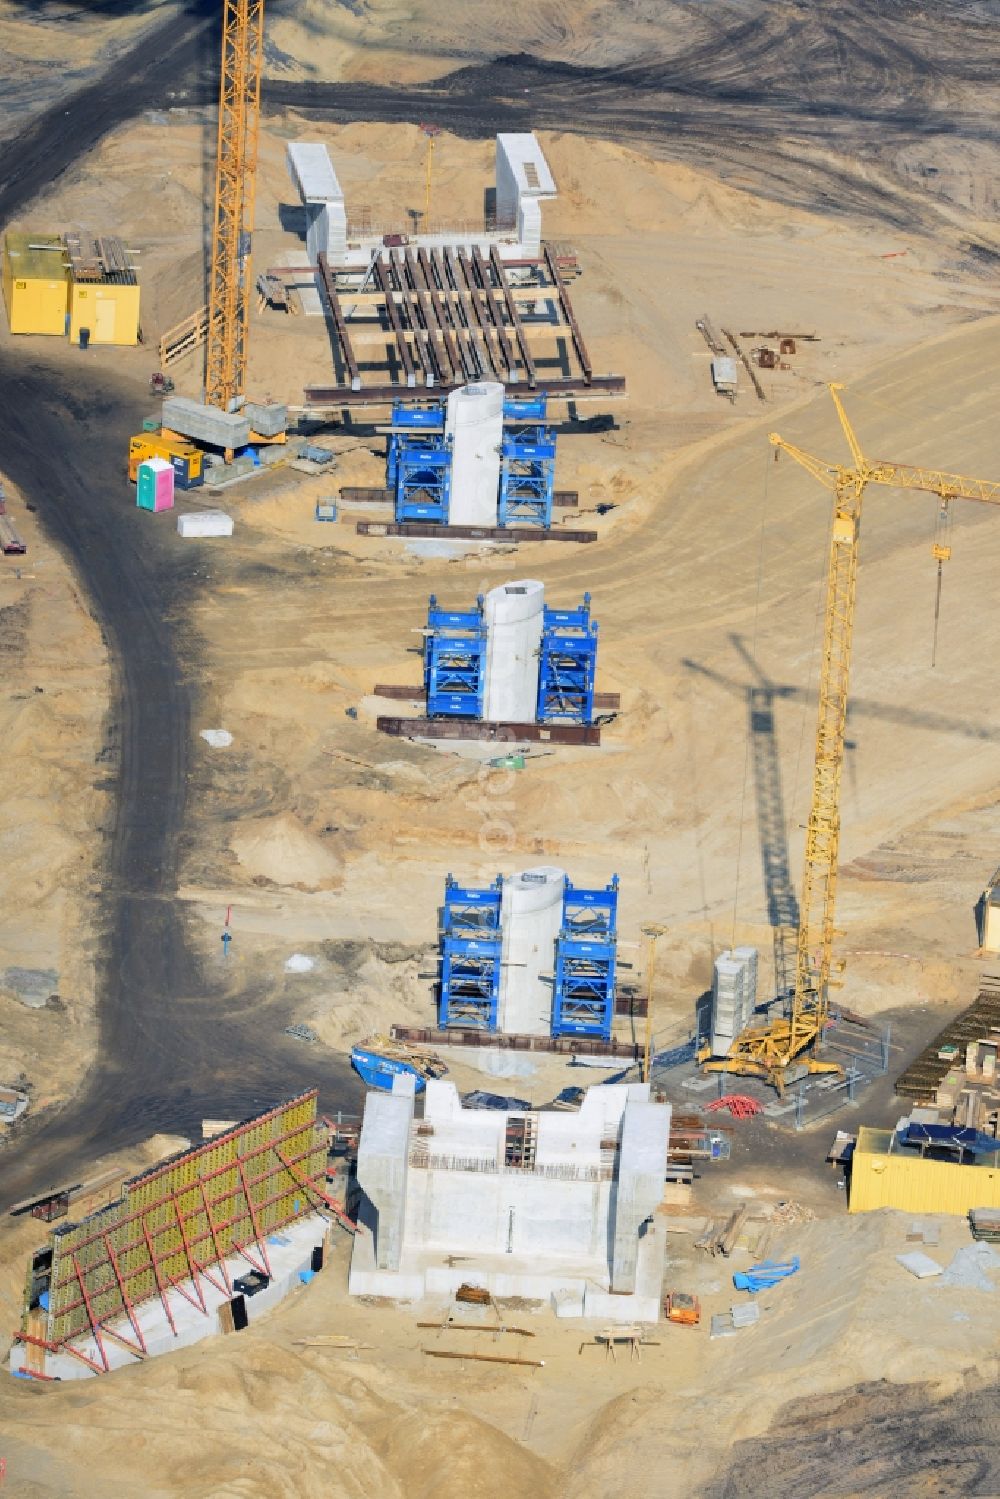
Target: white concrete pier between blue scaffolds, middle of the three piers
[515, 620]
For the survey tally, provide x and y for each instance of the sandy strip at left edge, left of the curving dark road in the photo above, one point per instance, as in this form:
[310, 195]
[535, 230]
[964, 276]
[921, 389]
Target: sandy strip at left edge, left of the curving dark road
[53, 723]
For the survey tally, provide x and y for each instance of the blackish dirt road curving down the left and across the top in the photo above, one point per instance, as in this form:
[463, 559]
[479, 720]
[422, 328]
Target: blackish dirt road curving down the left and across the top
[762, 94]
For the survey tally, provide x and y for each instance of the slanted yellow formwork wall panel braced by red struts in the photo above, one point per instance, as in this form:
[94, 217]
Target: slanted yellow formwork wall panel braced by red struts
[167, 1209]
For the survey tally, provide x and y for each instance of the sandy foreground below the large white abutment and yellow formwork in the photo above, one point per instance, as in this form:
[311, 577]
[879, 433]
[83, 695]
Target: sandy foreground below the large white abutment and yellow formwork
[269, 1414]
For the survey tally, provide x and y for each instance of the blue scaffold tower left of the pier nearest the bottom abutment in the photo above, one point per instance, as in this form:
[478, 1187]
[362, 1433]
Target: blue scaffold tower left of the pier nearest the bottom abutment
[470, 956]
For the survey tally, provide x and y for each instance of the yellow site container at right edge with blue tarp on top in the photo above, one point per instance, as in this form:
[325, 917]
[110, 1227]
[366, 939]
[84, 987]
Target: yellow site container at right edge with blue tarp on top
[891, 1179]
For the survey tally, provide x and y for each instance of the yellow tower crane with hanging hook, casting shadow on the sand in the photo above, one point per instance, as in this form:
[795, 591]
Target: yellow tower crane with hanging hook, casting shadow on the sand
[768, 1050]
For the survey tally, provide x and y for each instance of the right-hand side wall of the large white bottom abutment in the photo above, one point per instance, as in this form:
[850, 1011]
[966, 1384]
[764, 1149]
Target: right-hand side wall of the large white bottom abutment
[638, 1192]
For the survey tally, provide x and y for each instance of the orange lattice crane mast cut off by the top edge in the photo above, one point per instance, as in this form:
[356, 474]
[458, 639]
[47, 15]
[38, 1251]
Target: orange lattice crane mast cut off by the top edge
[233, 227]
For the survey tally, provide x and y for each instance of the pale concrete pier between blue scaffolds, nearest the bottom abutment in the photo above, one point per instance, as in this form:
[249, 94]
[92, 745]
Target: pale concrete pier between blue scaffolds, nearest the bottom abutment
[531, 920]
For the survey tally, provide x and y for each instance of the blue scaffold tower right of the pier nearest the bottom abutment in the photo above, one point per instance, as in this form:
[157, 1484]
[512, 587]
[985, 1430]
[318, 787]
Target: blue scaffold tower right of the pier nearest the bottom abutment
[584, 996]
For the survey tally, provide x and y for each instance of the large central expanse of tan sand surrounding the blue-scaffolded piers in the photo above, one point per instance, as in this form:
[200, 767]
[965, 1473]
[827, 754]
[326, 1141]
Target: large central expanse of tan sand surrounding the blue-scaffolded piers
[329, 840]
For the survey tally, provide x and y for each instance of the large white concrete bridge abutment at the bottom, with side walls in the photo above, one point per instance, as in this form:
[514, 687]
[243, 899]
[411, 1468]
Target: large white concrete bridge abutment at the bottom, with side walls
[524, 1204]
